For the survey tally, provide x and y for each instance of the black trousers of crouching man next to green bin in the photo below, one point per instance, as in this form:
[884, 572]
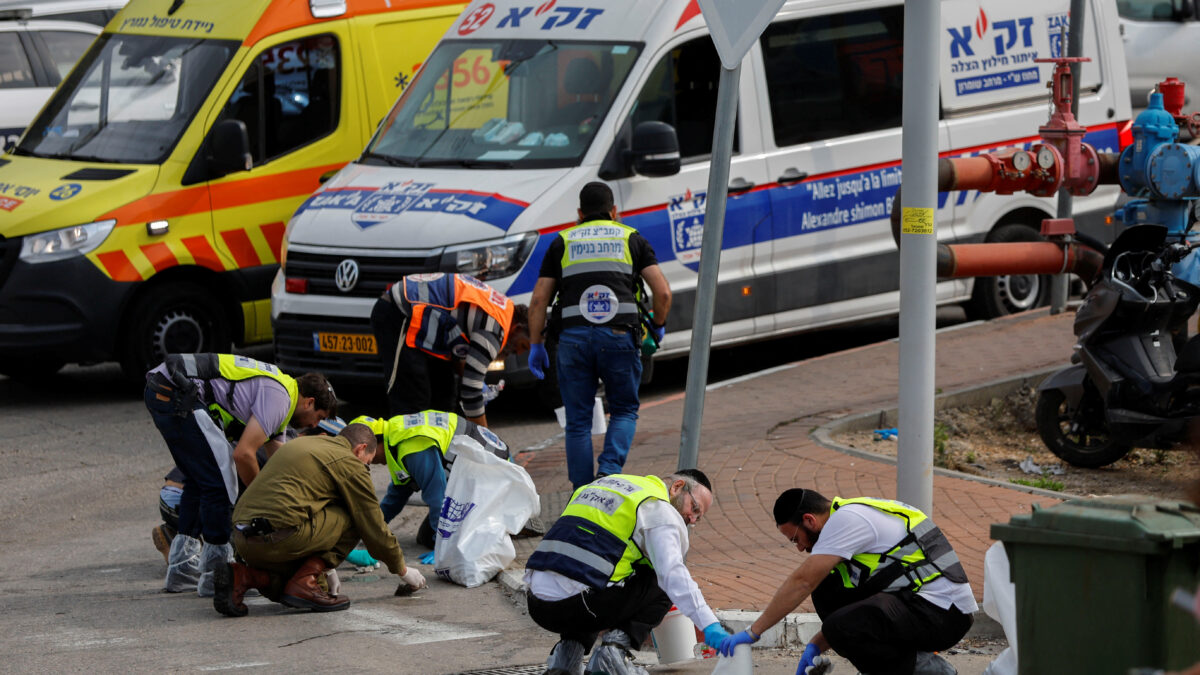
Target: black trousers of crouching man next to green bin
[881, 634]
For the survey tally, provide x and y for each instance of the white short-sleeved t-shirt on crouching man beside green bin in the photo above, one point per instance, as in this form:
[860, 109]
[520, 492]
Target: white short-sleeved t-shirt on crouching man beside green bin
[856, 529]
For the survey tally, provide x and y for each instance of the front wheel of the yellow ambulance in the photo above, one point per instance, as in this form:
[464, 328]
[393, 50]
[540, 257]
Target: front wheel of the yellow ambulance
[173, 319]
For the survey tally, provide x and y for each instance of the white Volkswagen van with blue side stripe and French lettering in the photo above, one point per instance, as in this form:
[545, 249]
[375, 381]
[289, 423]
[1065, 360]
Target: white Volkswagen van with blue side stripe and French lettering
[481, 163]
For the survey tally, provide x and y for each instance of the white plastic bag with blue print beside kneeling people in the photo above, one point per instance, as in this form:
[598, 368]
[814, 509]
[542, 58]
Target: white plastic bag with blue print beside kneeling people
[487, 500]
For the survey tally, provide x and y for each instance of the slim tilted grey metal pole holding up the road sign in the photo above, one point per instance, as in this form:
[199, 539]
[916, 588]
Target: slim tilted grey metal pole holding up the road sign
[710, 262]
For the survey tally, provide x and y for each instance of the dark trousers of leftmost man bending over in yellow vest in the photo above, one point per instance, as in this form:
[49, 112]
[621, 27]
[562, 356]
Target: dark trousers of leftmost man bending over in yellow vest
[205, 509]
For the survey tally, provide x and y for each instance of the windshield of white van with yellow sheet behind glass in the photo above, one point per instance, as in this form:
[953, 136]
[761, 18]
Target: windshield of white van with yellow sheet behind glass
[517, 104]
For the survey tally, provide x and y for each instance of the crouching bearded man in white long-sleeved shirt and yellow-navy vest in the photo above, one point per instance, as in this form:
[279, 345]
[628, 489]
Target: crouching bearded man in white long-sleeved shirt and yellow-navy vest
[614, 564]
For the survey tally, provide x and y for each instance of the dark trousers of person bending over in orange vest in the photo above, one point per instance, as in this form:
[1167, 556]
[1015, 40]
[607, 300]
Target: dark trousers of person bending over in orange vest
[416, 381]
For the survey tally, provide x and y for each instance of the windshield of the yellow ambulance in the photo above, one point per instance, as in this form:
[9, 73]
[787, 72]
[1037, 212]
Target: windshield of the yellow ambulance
[129, 100]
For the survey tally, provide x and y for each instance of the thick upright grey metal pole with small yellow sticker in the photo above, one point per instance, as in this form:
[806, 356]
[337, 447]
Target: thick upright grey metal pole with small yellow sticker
[919, 254]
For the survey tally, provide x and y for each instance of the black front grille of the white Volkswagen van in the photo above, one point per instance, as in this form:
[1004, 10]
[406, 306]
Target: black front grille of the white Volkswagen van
[376, 273]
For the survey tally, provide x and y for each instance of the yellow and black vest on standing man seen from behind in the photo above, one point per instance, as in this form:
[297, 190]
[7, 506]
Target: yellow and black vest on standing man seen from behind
[598, 285]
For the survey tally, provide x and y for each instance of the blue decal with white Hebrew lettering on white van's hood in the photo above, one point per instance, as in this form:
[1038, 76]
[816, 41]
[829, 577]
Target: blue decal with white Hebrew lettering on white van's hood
[373, 206]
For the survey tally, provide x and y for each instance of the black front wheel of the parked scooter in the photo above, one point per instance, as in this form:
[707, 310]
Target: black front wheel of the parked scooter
[1081, 438]
